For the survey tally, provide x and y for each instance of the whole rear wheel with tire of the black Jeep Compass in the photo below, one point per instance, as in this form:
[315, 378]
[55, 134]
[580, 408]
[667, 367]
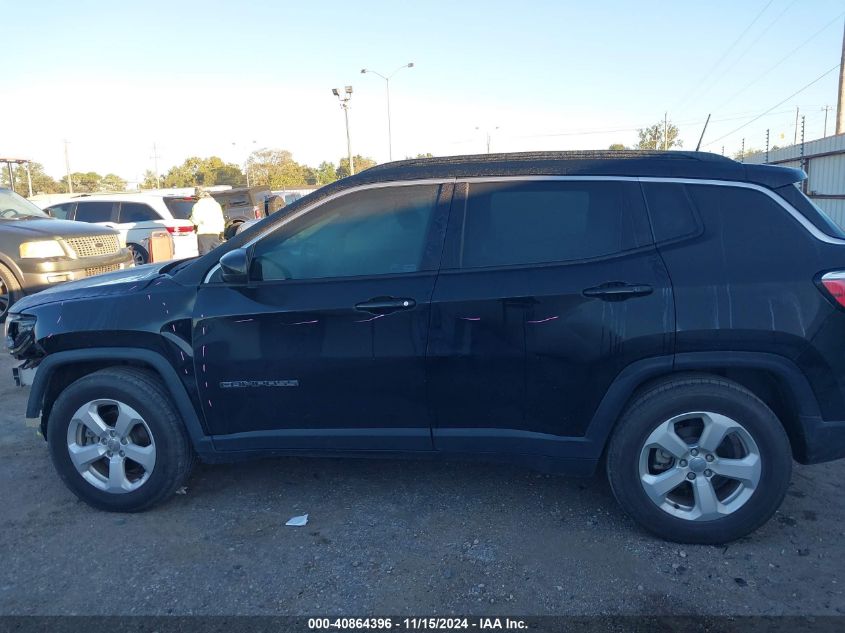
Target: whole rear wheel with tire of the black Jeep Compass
[700, 406]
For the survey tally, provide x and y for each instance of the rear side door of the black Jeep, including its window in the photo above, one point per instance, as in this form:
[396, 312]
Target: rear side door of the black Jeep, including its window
[549, 288]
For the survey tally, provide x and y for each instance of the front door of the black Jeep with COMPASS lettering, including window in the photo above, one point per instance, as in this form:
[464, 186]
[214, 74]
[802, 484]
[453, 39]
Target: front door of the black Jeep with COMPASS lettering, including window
[325, 347]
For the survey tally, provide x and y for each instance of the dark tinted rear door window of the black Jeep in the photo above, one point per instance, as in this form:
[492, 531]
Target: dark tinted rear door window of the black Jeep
[538, 222]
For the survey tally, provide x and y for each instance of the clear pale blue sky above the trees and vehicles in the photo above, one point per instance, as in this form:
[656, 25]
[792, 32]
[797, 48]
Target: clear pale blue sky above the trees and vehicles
[113, 79]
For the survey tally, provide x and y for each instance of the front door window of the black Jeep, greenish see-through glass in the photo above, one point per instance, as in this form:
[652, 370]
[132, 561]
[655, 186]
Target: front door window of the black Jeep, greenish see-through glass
[375, 232]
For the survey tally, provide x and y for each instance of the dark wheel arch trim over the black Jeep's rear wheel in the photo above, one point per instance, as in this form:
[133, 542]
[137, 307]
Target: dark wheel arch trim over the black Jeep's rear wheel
[775, 379]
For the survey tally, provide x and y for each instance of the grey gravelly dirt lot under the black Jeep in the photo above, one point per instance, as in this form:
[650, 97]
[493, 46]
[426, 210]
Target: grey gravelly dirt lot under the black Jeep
[393, 537]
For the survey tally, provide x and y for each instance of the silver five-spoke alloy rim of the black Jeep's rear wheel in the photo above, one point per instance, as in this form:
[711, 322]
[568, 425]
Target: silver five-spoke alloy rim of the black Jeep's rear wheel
[700, 466]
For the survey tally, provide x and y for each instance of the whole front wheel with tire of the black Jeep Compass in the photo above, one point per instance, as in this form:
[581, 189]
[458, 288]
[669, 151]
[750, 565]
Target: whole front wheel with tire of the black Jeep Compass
[156, 436]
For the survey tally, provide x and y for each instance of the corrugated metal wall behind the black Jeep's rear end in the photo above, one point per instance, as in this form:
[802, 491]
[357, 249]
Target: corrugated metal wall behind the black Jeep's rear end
[824, 162]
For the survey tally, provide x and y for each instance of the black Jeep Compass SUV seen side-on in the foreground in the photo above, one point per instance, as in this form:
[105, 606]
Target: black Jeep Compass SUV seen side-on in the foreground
[676, 317]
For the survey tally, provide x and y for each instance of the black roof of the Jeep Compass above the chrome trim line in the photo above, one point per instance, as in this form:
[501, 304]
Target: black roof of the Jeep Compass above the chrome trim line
[675, 164]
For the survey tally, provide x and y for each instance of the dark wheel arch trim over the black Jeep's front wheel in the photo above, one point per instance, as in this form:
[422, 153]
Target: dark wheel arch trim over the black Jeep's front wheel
[59, 370]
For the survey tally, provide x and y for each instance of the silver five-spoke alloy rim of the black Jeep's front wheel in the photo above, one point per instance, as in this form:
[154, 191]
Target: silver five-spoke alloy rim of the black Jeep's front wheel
[111, 446]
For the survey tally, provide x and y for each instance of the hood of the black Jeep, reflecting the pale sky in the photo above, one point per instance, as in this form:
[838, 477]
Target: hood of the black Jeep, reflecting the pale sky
[116, 283]
